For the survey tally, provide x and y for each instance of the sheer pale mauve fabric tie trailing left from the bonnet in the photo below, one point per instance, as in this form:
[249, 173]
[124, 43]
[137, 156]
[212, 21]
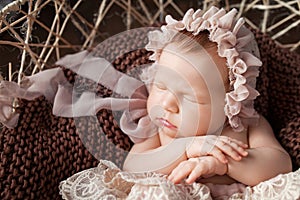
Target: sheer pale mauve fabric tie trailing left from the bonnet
[52, 84]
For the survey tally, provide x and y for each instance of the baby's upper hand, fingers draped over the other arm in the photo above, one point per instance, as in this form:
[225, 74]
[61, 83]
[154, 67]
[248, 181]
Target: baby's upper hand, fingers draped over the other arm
[217, 146]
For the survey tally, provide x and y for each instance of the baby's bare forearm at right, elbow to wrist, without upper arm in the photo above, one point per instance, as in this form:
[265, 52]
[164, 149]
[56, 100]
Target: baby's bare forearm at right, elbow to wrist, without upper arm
[261, 164]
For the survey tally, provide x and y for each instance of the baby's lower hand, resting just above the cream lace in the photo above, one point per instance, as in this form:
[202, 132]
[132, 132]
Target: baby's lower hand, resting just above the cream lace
[193, 168]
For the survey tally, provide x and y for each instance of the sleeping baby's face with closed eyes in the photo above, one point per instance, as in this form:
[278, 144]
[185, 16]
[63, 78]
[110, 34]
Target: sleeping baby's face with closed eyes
[184, 98]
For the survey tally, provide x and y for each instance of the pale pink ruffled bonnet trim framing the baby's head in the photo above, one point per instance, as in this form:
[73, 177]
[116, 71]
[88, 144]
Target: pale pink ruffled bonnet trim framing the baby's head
[235, 42]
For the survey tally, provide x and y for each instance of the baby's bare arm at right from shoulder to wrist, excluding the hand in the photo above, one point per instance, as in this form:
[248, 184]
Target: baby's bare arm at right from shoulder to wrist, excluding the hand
[265, 160]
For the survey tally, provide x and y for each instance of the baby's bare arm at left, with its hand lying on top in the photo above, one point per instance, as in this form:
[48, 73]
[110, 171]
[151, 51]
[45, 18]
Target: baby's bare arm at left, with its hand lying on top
[164, 155]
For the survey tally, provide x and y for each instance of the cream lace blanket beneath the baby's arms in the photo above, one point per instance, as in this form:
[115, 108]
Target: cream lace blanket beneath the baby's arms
[107, 181]
